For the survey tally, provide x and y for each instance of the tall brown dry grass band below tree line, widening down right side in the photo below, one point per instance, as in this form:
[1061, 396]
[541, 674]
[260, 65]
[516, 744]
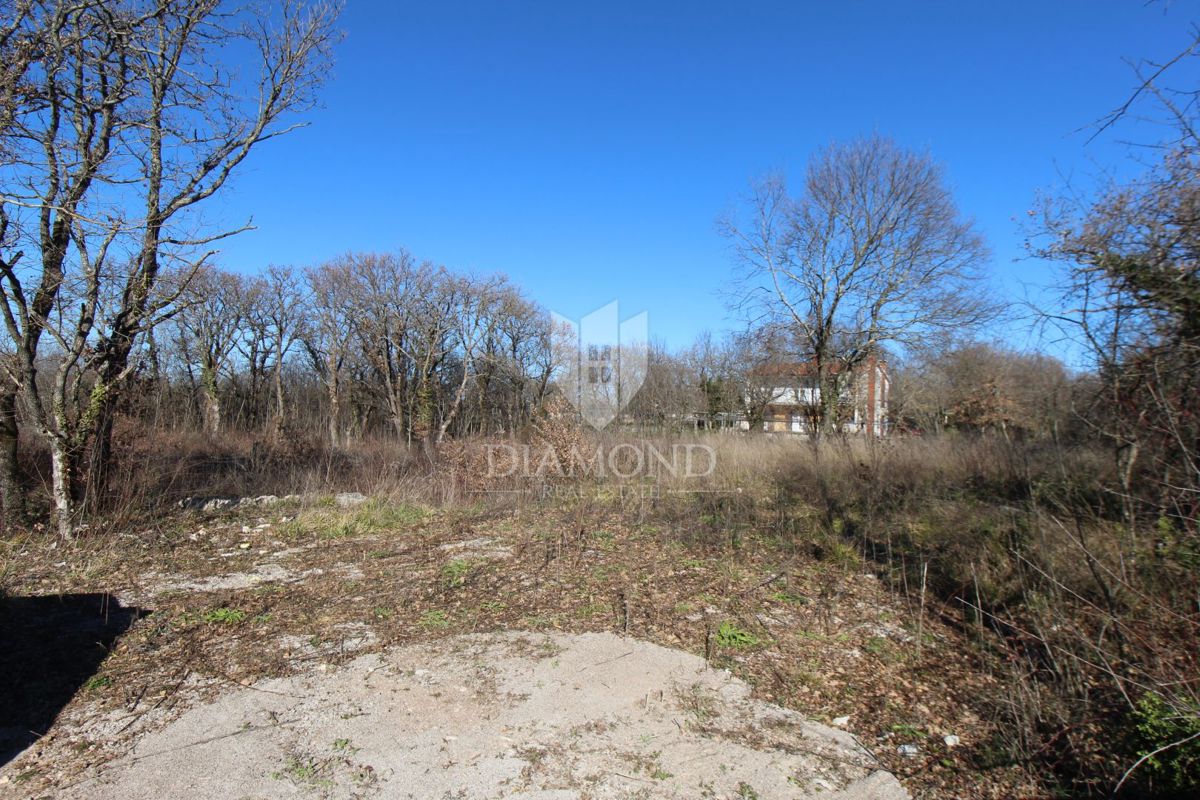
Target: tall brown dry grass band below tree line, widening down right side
[1089, 619]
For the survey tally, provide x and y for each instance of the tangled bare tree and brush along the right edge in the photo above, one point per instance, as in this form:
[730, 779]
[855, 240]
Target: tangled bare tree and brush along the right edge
[1131, 305]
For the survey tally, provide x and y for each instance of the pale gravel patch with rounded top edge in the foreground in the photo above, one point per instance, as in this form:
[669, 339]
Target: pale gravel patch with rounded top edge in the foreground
[494, 717]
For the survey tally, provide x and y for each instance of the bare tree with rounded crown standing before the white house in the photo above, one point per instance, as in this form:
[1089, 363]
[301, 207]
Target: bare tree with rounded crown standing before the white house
[873, 251]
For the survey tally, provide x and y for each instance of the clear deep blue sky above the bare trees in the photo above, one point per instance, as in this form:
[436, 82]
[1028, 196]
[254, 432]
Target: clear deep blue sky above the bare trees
[587, 149]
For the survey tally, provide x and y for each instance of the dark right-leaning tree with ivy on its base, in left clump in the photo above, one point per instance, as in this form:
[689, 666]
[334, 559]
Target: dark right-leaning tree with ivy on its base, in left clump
[202, 122]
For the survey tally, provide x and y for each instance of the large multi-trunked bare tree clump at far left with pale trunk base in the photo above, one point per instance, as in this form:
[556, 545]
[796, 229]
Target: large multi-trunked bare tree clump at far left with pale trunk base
[130, 116]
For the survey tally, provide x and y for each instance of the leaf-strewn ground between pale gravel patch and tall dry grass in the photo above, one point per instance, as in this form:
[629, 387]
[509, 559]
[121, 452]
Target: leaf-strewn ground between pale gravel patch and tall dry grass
[818, 636]
